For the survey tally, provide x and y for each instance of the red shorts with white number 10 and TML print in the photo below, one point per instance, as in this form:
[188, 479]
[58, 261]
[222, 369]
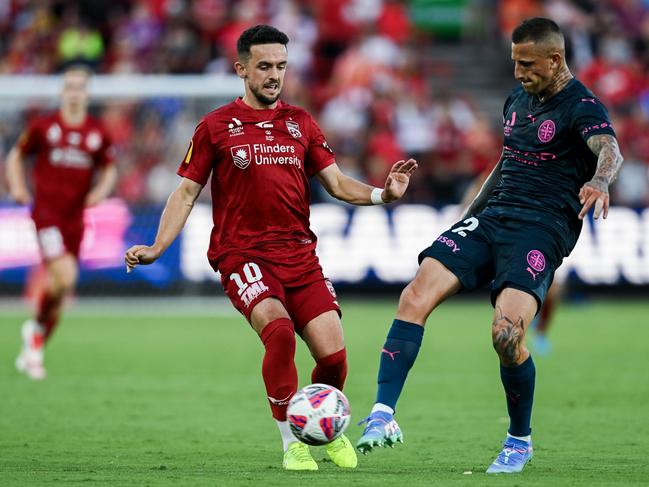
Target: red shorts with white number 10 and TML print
[247, 281]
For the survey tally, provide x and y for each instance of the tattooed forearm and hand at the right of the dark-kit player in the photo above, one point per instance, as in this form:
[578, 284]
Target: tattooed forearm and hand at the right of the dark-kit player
[609, 161]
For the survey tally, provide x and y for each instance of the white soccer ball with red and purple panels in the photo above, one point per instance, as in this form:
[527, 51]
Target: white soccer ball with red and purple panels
[318, 414]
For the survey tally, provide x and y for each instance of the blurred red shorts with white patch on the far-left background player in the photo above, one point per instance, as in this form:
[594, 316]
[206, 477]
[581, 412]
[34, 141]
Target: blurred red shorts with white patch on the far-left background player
[59, 238]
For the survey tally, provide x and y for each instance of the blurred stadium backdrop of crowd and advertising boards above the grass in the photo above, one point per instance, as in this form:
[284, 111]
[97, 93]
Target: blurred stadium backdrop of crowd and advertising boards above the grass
[385, 79]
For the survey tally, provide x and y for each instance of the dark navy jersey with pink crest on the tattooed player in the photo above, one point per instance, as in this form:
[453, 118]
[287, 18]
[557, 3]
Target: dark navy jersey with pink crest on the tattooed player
[546, 159]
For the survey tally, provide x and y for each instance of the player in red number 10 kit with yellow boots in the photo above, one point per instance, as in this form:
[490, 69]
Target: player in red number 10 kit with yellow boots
[260, 153]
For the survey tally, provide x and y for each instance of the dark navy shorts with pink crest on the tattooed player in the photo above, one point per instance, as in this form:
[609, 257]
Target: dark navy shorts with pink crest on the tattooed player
[504, 251]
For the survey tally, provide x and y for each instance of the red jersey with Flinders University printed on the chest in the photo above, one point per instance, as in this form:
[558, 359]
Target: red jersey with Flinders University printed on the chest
[260, 161]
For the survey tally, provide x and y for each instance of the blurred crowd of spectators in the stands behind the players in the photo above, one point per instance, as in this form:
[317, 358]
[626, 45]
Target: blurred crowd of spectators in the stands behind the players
[367, 69]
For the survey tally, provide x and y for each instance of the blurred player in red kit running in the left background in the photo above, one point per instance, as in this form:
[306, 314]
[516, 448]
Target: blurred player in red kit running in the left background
[73, 169]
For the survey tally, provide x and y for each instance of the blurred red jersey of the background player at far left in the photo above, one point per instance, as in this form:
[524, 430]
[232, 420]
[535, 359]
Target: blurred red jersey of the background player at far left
[66, 159]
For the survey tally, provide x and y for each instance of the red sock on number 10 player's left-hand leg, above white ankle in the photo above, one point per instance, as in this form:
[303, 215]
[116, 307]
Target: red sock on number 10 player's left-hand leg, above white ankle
[278, 367]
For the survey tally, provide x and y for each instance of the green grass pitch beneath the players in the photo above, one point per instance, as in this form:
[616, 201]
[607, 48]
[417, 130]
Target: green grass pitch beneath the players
[172, 395]
